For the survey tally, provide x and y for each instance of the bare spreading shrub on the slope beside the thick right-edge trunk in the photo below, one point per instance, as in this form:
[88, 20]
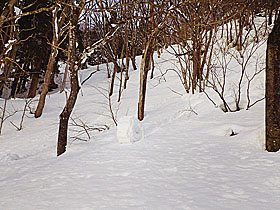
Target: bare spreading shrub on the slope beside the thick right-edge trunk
[244, 57]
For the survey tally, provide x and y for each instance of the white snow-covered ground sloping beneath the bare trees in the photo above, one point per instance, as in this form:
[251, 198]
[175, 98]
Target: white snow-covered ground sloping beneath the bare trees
[187, 159]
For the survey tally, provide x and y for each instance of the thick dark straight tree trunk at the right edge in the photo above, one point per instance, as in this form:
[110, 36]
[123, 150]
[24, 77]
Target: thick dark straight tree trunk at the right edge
[273, 90]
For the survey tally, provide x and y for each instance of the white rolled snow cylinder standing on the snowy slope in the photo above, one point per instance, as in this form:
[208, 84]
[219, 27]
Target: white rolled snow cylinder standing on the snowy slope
[129, 130]
